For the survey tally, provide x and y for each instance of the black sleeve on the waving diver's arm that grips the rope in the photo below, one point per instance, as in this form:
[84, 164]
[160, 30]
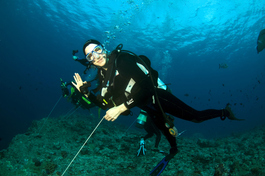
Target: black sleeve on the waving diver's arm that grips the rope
[139, 83]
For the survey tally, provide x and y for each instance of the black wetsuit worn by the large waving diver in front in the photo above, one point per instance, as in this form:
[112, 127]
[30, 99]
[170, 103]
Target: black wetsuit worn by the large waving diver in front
[125, 82]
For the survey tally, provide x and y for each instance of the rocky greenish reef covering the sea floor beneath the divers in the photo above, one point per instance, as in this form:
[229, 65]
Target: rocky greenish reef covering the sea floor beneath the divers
[111, 151]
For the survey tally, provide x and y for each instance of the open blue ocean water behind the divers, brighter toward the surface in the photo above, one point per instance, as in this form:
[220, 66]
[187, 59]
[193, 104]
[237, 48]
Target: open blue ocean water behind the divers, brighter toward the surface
[186, 41]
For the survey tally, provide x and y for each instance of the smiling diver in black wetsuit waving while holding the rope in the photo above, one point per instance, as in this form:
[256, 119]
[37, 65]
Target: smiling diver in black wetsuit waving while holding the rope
[127, 81]
